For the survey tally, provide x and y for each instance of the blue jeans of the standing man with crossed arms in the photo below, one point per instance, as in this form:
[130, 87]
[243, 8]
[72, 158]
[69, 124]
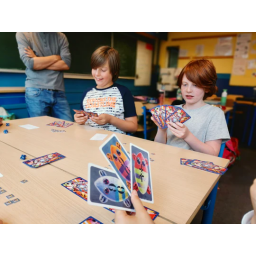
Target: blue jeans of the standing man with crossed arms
[41, 102]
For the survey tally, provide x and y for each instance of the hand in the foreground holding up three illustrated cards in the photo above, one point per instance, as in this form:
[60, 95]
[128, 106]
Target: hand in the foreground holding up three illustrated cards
[141, 216]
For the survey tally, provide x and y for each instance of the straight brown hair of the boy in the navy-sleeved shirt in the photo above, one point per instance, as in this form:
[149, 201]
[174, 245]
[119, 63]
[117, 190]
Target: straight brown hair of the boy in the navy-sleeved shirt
[103, 54]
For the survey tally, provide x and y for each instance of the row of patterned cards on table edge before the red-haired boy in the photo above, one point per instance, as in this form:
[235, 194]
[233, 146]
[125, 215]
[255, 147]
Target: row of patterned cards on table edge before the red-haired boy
[203, 165]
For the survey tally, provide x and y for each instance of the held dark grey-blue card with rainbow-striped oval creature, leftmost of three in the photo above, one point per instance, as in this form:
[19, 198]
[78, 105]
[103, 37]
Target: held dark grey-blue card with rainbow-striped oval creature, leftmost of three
[105, 189]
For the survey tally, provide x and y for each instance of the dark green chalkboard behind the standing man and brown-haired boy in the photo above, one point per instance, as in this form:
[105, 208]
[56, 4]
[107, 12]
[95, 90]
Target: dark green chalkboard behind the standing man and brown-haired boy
[82, 45]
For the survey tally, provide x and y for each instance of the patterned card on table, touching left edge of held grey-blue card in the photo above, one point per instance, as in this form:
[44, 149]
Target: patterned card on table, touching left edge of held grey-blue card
[78, 186]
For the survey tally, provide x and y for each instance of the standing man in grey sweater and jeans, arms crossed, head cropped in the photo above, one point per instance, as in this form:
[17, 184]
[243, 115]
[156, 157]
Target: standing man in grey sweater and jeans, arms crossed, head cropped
[46, 56]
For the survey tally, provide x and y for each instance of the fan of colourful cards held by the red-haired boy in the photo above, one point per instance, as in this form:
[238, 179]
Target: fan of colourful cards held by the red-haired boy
[166, 113]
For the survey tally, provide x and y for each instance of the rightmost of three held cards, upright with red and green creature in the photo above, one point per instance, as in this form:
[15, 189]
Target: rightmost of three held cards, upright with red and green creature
[141, 178]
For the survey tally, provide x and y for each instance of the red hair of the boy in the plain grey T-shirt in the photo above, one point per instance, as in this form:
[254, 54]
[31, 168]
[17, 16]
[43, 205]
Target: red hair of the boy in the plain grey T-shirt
[202, 73]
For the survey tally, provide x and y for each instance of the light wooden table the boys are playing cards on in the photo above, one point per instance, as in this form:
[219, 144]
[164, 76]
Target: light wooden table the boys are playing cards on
[179, 191]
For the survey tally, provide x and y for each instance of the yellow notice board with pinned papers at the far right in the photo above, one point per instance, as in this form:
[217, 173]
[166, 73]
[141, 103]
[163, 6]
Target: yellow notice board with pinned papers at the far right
[244, 65]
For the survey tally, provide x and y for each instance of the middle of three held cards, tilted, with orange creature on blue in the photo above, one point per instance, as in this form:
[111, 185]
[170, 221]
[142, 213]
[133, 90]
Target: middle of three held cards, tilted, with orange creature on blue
[116, 155]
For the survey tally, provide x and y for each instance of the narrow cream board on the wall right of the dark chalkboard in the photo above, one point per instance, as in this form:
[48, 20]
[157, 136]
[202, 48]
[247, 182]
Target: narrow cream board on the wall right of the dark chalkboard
[143, 63]
